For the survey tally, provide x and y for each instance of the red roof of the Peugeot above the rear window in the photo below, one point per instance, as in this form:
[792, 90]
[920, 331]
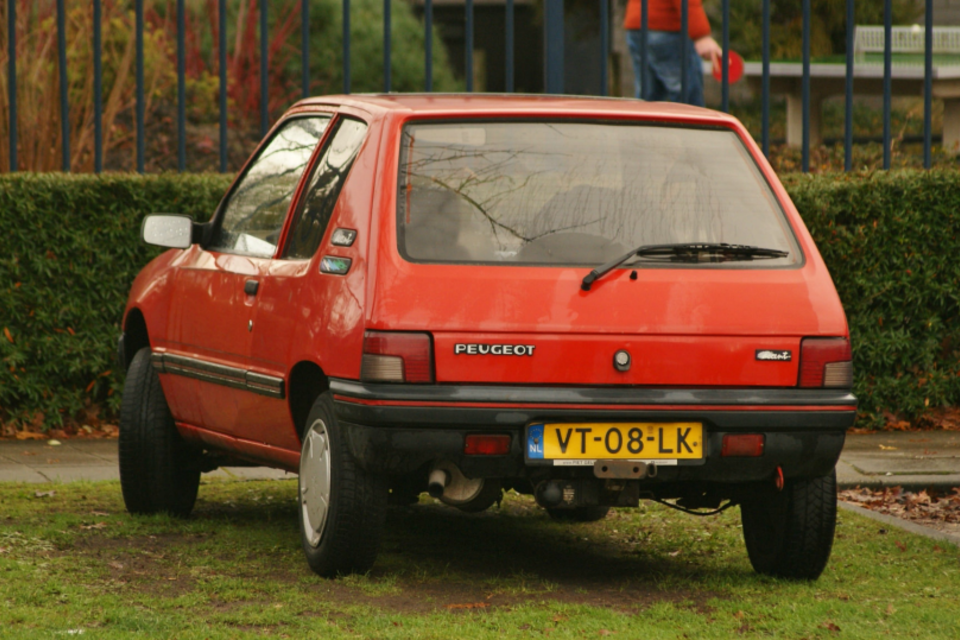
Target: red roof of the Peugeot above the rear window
[512, 103]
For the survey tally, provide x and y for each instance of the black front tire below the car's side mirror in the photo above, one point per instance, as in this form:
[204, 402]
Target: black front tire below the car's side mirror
[159, 471]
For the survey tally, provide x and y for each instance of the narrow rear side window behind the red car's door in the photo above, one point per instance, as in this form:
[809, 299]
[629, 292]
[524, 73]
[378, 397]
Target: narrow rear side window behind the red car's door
[323, 190]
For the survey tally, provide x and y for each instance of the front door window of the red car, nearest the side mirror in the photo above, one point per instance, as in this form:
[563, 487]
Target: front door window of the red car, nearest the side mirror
[254, 214]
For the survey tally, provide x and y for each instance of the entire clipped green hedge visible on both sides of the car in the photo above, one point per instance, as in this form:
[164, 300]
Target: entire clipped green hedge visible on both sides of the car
[69, 249]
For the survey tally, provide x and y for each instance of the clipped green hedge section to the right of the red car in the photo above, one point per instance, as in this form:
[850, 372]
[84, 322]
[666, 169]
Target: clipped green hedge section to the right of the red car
[891, 242]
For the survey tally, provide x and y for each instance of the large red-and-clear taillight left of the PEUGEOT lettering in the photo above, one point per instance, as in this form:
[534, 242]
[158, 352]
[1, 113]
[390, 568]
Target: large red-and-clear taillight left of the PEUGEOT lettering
[396, 357]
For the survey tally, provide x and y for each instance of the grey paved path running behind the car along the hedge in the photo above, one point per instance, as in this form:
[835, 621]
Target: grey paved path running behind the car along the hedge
[913, 460]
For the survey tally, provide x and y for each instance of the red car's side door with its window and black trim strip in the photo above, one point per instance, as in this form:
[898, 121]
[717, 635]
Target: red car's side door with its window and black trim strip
[217, 285]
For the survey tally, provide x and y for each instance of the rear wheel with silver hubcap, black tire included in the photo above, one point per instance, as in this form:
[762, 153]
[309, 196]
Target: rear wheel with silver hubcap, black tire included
[342, 508]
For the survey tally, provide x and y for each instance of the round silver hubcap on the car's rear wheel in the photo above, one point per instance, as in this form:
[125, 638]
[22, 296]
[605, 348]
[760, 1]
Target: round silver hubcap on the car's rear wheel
[315, 482]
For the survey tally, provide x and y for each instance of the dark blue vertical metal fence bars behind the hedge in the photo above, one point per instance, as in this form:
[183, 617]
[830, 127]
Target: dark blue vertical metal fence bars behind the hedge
[553, 33]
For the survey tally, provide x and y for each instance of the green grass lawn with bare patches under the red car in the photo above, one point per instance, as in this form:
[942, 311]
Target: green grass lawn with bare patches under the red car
[76, 563]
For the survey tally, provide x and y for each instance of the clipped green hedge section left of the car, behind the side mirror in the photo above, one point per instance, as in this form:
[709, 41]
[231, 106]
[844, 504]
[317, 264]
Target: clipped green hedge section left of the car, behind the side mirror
[69, 250]
